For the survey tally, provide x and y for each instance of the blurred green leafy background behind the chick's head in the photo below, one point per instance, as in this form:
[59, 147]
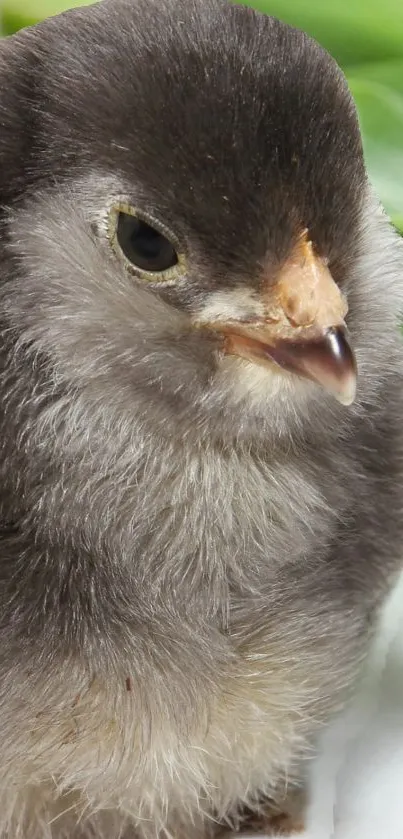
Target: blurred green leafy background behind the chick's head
[366, 38]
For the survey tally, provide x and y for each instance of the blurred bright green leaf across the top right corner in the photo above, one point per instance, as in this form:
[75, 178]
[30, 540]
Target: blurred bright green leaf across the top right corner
[352, 30]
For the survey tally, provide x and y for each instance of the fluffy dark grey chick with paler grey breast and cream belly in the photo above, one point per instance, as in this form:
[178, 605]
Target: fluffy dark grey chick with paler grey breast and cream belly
[194, 548]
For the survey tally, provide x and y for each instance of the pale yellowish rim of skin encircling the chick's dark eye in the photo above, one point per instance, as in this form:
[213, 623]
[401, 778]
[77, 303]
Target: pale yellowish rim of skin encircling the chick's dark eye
[171, 275]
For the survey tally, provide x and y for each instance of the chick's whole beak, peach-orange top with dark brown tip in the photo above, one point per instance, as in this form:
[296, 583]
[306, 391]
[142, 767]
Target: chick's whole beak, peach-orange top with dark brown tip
[303, 329]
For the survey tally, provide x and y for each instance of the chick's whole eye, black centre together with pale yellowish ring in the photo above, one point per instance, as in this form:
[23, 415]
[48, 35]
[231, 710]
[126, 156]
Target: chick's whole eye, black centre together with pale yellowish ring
[149, 250]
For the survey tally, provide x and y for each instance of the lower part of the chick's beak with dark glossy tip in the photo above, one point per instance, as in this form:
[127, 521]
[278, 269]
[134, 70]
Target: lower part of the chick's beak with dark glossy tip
[326, 359]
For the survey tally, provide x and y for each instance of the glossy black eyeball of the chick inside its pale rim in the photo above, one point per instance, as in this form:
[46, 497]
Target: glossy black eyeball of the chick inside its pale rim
[144, 246]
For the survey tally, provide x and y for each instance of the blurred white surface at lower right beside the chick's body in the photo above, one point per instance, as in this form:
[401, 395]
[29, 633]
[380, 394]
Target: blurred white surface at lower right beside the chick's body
[357, 783]
